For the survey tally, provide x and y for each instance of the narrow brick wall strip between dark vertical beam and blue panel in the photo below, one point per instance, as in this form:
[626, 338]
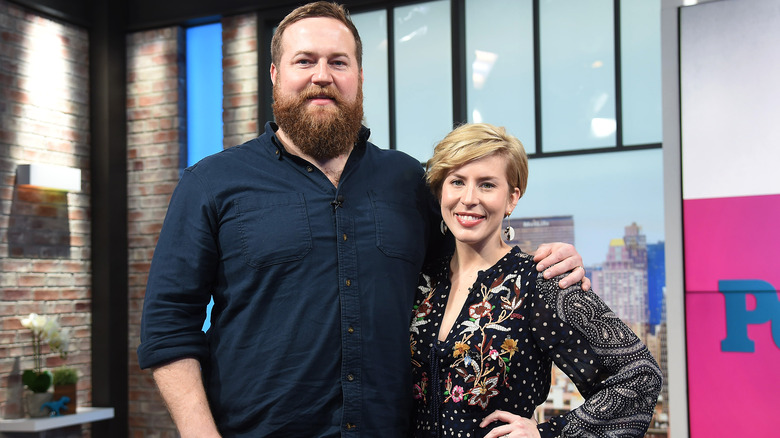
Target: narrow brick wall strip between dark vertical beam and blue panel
[155, 134]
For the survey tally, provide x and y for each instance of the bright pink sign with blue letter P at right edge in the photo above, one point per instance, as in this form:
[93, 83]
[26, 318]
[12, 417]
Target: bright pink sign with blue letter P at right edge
[732, 273]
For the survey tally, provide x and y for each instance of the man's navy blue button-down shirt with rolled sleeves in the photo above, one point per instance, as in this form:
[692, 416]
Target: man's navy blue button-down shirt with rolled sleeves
[312, 286]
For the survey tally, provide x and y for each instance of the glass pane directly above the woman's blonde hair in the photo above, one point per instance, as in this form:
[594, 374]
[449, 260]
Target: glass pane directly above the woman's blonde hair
[500, 66]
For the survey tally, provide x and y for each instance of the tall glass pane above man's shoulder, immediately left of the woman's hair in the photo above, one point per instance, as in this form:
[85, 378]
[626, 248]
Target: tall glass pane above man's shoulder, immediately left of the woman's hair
[423, 76]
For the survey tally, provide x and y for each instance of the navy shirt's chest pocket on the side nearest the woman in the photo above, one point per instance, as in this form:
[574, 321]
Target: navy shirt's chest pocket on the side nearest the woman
[400, 228]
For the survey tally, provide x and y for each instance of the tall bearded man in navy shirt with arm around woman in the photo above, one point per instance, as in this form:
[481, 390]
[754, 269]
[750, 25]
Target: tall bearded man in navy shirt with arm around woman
[310, 240]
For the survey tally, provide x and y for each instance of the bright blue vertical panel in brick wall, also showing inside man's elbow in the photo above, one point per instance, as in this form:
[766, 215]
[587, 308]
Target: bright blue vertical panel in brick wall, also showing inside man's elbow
[204, 99]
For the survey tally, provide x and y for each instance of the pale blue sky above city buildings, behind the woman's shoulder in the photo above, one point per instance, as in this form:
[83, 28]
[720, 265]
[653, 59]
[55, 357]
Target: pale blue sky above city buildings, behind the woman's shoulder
[602, 192]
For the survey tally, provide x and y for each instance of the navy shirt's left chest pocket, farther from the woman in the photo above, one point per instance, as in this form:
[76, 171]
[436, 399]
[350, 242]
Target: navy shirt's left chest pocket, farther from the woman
[274, 229]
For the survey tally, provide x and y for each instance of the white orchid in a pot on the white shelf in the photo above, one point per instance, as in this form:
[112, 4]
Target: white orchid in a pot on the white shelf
[44, 331]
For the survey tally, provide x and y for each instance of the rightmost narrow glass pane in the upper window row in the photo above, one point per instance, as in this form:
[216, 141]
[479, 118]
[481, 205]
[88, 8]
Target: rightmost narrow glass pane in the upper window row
[640, 51]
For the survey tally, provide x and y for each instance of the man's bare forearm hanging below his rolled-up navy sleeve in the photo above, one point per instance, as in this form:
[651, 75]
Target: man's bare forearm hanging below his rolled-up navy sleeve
[181, 386]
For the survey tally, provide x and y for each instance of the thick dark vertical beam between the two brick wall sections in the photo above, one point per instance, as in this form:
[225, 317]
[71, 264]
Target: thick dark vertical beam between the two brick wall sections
[108, 158]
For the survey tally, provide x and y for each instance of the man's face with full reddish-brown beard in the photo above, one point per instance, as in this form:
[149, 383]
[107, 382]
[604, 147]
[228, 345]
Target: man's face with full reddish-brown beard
[318, 99]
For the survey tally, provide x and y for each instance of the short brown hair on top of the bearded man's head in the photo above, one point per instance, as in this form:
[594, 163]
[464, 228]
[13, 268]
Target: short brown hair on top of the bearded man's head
[315, 10]
